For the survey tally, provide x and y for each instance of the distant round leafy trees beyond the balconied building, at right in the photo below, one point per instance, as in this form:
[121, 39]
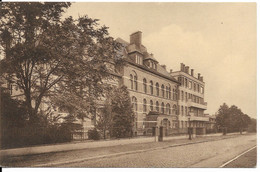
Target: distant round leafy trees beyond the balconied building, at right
[232, 118]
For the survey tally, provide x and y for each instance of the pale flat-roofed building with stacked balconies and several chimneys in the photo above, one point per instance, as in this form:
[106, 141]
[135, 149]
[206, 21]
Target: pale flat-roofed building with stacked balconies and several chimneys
[191, 104]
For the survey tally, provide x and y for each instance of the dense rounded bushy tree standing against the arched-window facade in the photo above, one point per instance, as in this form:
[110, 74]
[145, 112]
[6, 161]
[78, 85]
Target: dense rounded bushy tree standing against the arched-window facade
[116, 117]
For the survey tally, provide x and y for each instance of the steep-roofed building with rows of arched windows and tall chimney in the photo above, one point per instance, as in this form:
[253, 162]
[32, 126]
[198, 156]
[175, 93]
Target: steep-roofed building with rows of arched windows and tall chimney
[152, 89]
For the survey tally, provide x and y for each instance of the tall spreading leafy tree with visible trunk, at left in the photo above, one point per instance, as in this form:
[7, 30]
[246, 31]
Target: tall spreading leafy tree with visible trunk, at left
[53, 59]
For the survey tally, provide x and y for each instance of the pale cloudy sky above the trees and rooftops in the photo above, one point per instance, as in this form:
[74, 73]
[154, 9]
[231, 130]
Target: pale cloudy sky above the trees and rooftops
[217, 40]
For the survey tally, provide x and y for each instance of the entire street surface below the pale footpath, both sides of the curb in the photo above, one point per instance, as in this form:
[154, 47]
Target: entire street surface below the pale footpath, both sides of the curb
[199, 152]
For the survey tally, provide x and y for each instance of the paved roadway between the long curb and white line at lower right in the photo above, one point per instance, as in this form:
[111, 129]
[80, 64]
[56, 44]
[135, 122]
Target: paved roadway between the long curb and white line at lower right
[208, 154]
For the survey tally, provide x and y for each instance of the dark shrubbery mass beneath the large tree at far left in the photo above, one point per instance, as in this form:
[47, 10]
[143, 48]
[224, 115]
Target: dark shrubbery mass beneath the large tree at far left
[16, 131]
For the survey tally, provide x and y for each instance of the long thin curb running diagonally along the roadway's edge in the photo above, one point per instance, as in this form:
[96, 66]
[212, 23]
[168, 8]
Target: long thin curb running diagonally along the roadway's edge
[123, 153]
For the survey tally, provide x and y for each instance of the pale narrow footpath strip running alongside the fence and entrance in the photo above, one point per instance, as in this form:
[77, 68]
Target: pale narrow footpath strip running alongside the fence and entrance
[85, 145]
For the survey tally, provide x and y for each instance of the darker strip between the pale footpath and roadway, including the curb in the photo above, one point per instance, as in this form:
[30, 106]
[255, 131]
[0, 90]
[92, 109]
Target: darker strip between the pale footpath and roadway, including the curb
[53, 159]
